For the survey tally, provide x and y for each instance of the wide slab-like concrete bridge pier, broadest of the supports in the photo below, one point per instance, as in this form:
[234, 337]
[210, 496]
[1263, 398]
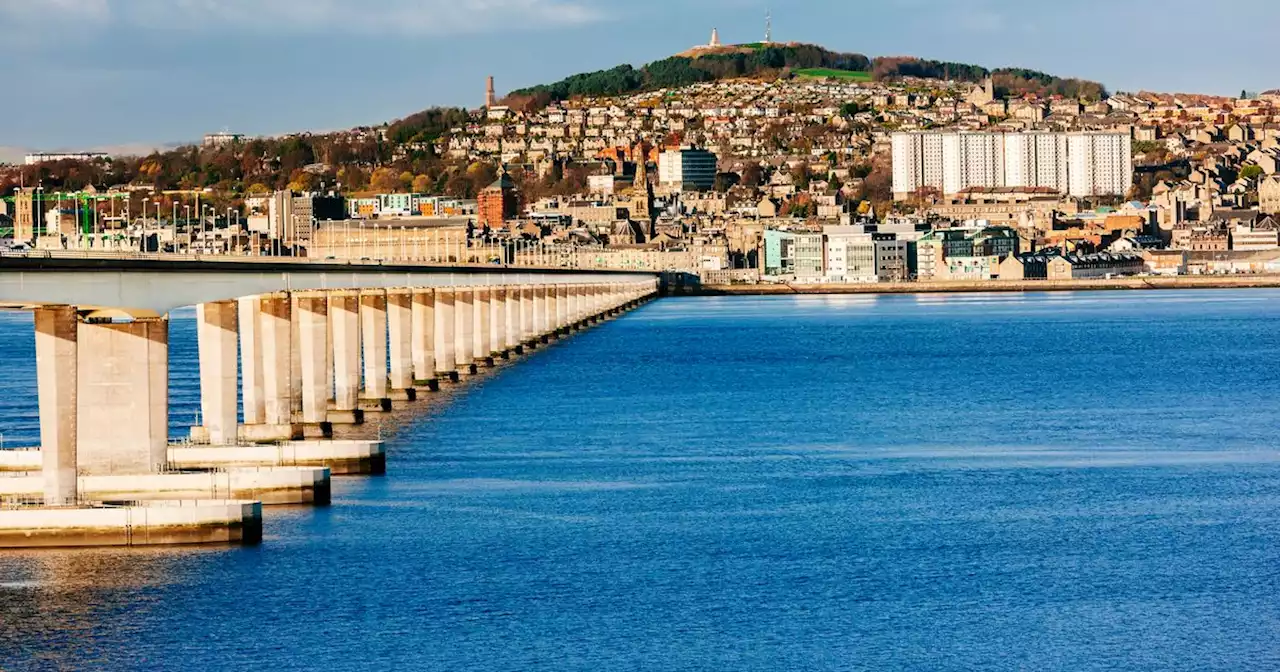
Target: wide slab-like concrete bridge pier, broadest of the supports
[122, 397]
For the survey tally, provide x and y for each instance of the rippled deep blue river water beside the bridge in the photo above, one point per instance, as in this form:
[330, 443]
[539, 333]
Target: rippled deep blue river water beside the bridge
[1025, 482]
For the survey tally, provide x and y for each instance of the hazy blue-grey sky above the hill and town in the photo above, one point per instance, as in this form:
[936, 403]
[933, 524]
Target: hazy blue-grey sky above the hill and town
[85, 74]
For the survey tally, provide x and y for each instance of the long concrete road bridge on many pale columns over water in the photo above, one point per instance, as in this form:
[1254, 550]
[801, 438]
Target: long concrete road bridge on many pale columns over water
[289, 351]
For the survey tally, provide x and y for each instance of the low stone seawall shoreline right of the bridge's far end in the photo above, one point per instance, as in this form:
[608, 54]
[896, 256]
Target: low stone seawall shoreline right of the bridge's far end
[1181, 282]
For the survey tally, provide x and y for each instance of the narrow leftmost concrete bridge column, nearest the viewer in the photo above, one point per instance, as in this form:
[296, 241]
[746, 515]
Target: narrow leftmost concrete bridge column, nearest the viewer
[57, 337]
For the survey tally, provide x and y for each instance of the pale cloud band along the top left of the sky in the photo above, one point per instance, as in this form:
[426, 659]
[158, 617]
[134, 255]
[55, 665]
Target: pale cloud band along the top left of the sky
[294, 17]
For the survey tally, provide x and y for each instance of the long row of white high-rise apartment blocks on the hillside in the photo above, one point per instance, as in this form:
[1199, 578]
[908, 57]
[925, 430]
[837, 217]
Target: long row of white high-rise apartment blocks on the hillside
[1077, 164]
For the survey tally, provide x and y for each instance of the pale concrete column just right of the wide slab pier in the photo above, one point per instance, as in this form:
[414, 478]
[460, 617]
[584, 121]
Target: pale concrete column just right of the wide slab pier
[217, 331]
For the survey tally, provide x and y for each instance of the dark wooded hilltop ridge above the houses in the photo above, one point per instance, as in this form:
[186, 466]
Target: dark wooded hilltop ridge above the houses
[775, 60]
